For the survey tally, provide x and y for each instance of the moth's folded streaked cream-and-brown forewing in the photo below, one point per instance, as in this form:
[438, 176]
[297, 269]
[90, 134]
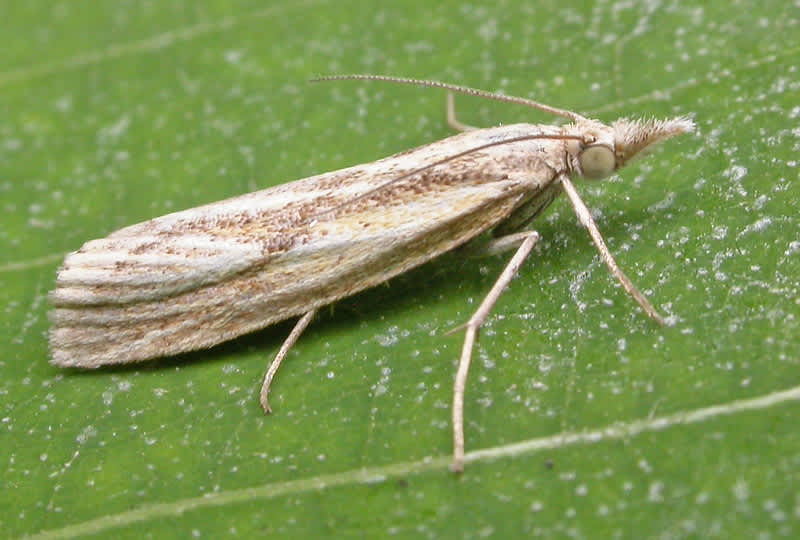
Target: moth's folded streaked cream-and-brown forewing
[193, 279]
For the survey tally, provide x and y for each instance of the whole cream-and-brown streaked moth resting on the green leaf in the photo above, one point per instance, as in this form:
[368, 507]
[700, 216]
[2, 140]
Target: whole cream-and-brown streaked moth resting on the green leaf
[192, 279]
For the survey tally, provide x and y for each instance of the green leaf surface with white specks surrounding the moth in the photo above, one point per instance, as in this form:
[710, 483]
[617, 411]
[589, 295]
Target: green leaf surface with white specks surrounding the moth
[114, 113]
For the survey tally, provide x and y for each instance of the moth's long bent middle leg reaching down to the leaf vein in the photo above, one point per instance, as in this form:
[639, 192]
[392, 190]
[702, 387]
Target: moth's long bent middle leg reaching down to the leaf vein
[472, 326]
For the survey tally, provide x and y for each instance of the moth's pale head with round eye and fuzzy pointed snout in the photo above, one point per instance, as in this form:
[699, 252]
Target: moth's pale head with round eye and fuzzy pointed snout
[607, 149]
